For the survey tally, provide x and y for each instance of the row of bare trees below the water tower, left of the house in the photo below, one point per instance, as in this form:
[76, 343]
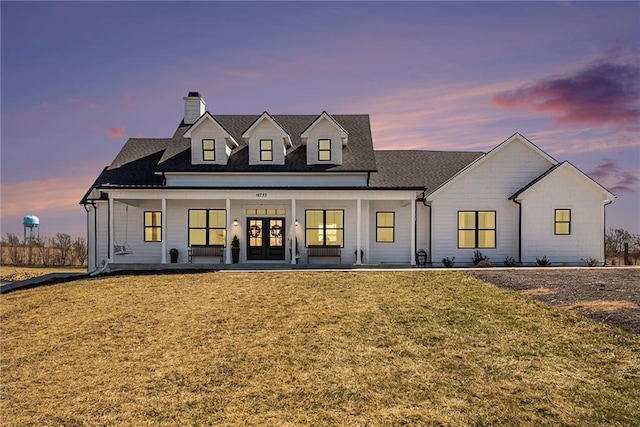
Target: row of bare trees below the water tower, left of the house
[60, 249]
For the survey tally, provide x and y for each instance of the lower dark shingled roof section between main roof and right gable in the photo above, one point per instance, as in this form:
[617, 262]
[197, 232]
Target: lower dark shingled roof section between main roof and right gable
[417, 168]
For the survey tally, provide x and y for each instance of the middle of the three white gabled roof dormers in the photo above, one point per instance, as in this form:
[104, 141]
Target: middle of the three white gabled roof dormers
[267, 141]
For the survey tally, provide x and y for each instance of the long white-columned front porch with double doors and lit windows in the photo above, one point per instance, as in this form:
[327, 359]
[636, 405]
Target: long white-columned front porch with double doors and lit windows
[138, 228]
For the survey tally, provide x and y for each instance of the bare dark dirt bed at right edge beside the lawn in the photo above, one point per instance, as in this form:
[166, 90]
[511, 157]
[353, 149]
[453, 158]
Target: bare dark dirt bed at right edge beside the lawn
[608, 295]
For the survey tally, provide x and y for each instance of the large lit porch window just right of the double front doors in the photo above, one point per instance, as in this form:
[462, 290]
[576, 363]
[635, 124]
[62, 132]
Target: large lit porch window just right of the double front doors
[324, 228]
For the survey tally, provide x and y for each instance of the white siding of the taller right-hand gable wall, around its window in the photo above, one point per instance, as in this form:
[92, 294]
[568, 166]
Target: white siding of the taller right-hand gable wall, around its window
[486, 187]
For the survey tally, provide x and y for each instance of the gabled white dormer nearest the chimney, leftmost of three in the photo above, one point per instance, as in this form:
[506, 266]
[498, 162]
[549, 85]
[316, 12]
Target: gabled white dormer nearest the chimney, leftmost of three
[211, 143]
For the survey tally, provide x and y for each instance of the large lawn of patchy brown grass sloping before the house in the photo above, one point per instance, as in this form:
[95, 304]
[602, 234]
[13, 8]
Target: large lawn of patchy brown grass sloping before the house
[303, 348]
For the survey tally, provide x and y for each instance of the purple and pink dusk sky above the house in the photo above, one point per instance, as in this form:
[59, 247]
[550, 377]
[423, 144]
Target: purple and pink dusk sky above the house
[79, 78]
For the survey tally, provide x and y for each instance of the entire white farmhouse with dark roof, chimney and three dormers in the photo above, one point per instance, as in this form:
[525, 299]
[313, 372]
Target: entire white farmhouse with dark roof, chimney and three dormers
[311, 189]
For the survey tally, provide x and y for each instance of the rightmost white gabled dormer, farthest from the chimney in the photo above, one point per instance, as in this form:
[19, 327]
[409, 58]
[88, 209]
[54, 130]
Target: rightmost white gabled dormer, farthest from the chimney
[324, 139]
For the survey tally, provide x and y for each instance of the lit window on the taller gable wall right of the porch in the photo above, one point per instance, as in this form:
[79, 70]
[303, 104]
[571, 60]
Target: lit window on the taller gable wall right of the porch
[476, 229]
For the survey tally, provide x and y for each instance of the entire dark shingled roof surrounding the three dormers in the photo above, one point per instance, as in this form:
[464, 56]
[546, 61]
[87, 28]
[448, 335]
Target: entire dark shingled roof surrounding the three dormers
[142, 159]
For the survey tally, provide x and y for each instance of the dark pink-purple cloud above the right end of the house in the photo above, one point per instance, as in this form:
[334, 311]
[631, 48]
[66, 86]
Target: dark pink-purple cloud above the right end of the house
[602, 93]
